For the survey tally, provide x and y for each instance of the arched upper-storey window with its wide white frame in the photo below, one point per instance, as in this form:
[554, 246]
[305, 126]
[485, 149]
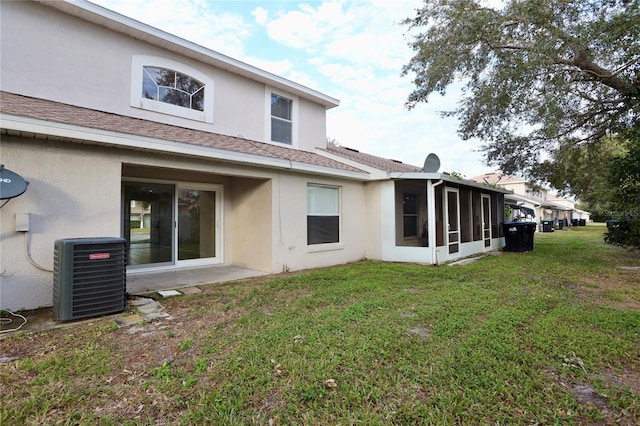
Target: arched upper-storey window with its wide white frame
[169, 87]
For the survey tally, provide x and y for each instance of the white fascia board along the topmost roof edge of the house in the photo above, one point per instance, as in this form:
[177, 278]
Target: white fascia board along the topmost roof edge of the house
[101, 16]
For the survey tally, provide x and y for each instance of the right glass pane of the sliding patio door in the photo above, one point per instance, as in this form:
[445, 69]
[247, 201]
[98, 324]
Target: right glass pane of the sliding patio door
[196, 224]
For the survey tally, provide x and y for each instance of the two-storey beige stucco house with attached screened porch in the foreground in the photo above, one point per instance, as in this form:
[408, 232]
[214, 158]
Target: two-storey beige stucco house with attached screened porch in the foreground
[196, 159]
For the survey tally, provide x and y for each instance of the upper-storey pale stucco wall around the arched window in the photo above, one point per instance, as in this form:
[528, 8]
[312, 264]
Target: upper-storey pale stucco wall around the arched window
[72, 61]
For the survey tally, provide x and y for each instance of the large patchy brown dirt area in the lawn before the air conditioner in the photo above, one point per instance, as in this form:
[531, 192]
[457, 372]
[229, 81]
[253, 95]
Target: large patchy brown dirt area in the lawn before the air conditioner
[139, 358]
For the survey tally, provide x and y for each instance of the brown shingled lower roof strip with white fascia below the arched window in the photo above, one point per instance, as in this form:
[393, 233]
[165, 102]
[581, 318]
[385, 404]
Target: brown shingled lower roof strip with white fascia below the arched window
[129, 131]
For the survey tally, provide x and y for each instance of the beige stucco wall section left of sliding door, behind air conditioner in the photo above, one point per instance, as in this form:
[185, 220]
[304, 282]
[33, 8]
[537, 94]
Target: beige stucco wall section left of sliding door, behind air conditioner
[69, 195]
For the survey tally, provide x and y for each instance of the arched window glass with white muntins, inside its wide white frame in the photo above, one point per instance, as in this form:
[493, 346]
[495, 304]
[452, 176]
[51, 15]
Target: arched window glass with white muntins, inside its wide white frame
[172, 87]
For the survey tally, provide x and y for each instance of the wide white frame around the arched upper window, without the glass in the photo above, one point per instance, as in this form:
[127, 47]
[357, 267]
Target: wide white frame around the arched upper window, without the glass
[139, 101]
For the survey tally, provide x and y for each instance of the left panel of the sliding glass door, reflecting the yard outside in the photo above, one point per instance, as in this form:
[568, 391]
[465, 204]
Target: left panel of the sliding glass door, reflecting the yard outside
[148, 224]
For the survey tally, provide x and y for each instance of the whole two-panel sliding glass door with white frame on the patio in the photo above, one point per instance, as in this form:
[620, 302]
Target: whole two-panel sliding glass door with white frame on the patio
[171, 224]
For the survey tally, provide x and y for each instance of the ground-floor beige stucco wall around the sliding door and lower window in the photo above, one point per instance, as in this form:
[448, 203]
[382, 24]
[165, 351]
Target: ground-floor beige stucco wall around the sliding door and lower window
[75, 191]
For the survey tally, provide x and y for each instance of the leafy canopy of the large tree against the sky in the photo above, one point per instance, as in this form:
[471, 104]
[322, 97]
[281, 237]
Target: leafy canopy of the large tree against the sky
[545, 80]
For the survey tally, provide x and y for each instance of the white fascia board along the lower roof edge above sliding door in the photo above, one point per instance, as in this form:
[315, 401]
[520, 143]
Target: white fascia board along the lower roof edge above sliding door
[65, 131]
